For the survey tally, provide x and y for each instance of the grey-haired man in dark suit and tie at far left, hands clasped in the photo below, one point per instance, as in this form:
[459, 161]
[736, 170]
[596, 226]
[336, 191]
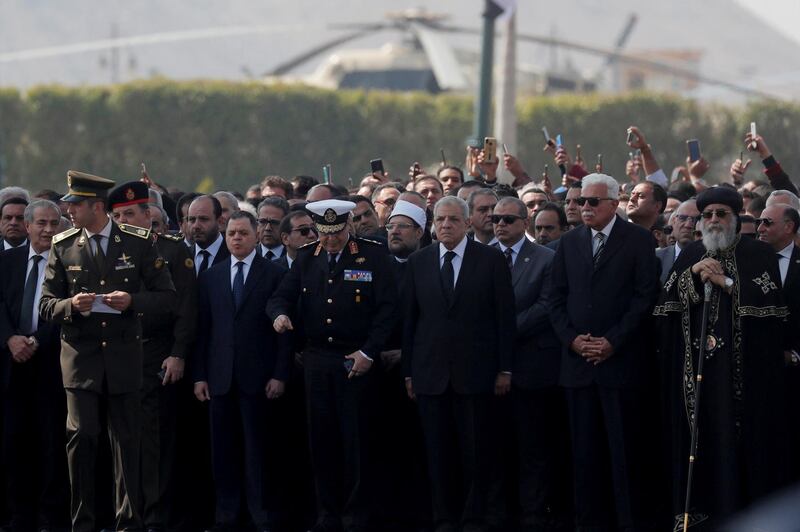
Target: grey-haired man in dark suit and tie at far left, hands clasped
[33, 397]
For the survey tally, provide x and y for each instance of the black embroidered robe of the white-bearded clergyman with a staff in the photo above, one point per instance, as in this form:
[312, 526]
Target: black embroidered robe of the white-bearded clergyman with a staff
[741, 450]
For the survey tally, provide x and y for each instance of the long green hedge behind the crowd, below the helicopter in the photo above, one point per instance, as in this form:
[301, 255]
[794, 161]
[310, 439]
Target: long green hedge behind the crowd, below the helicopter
[236, 133]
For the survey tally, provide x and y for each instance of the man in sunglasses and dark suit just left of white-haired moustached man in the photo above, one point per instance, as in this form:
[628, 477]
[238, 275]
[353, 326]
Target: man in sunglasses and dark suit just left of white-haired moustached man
[539, 405]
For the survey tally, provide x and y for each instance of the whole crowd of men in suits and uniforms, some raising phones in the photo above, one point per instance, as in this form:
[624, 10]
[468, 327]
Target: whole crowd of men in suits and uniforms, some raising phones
[443, 354]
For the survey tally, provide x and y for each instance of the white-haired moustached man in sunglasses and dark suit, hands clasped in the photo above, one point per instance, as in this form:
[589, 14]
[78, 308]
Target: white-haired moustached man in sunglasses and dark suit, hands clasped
[604, 278]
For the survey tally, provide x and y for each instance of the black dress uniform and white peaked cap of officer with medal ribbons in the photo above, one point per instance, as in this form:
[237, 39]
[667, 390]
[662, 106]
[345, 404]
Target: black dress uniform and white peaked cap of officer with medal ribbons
[346, 302]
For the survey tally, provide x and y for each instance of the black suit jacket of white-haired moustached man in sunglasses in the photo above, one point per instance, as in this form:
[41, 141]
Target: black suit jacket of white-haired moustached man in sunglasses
[613, 299]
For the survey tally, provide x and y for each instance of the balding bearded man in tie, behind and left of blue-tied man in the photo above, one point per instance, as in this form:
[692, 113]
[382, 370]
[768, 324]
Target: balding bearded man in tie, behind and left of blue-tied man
[205, 220]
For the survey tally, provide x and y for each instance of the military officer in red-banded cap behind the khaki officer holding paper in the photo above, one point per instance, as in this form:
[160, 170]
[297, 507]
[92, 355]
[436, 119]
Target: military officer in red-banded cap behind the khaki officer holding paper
[167, 336]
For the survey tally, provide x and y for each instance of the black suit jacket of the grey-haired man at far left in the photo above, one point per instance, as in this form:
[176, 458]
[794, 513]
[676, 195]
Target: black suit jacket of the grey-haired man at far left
[14, 265]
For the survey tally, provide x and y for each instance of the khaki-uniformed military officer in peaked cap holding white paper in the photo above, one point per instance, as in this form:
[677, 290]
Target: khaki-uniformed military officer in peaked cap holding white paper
[100, 279]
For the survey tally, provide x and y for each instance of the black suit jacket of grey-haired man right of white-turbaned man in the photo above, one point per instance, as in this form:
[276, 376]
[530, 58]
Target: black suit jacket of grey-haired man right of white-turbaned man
[464, 343]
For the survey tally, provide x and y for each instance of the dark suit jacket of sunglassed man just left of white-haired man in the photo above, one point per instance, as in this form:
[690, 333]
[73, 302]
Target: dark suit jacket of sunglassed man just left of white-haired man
[537, 353]
